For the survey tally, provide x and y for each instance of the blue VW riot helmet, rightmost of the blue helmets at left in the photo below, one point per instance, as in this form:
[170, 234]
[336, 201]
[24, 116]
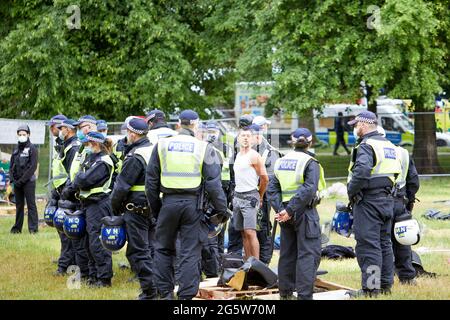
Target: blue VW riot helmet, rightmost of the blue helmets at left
[113, 235]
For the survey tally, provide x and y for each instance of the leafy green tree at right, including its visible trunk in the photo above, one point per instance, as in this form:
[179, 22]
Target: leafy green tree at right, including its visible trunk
[323, 50]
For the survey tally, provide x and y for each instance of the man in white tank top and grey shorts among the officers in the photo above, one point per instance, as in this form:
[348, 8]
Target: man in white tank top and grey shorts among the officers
[251, 181]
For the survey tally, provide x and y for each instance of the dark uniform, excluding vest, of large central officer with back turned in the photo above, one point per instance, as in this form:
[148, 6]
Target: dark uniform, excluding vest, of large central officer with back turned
[180, 213]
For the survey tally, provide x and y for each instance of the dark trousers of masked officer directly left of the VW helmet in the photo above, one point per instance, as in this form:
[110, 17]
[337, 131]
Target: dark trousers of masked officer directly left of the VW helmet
[100, 258]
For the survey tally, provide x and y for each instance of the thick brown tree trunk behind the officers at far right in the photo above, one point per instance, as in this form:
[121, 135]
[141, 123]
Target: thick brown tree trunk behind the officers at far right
[425, 149]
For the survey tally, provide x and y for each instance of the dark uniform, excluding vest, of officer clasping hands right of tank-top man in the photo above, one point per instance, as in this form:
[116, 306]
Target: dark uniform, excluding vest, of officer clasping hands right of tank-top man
[300, 250]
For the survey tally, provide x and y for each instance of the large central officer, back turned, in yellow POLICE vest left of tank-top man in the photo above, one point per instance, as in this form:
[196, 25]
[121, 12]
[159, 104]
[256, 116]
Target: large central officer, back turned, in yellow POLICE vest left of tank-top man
[178, 168]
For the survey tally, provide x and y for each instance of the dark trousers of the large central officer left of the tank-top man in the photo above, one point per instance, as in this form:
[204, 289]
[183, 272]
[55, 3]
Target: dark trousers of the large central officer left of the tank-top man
[179, 218]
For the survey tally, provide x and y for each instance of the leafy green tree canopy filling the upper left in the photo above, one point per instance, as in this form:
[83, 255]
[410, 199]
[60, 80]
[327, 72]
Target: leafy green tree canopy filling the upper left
[126, 57]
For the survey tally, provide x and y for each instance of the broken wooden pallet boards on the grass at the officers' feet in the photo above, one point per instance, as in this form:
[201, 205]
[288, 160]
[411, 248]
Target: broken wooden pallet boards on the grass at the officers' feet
[210, 291]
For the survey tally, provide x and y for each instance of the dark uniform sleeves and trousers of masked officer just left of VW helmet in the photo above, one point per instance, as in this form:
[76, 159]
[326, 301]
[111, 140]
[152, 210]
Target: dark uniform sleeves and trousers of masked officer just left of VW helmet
[96, 207]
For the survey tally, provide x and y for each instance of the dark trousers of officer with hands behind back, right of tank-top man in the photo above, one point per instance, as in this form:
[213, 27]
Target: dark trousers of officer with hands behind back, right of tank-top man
[300, 251]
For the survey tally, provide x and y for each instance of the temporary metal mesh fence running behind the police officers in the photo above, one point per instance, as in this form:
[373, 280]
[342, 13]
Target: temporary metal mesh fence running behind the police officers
[399, 129]
